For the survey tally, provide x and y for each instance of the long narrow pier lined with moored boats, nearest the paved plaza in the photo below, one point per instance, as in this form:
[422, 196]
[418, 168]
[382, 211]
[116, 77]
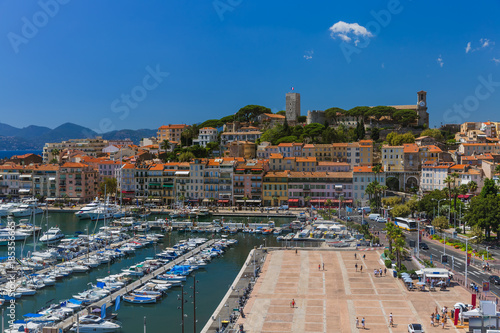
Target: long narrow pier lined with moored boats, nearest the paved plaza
[66, 324]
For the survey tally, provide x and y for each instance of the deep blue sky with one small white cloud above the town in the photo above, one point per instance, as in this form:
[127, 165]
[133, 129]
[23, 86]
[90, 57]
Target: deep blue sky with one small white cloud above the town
[187, 61]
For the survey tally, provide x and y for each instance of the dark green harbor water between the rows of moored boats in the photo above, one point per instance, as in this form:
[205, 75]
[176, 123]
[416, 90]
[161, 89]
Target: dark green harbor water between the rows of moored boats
[212, 285]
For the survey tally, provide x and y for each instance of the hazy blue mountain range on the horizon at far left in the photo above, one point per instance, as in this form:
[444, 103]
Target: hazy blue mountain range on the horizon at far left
[35, 137]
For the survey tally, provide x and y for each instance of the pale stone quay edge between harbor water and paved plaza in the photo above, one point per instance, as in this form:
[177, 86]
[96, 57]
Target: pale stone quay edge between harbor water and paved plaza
[245, 279]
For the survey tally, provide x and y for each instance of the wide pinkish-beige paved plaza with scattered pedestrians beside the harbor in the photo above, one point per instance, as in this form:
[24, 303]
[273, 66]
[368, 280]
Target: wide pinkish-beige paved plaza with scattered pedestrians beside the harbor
[329, 300]
